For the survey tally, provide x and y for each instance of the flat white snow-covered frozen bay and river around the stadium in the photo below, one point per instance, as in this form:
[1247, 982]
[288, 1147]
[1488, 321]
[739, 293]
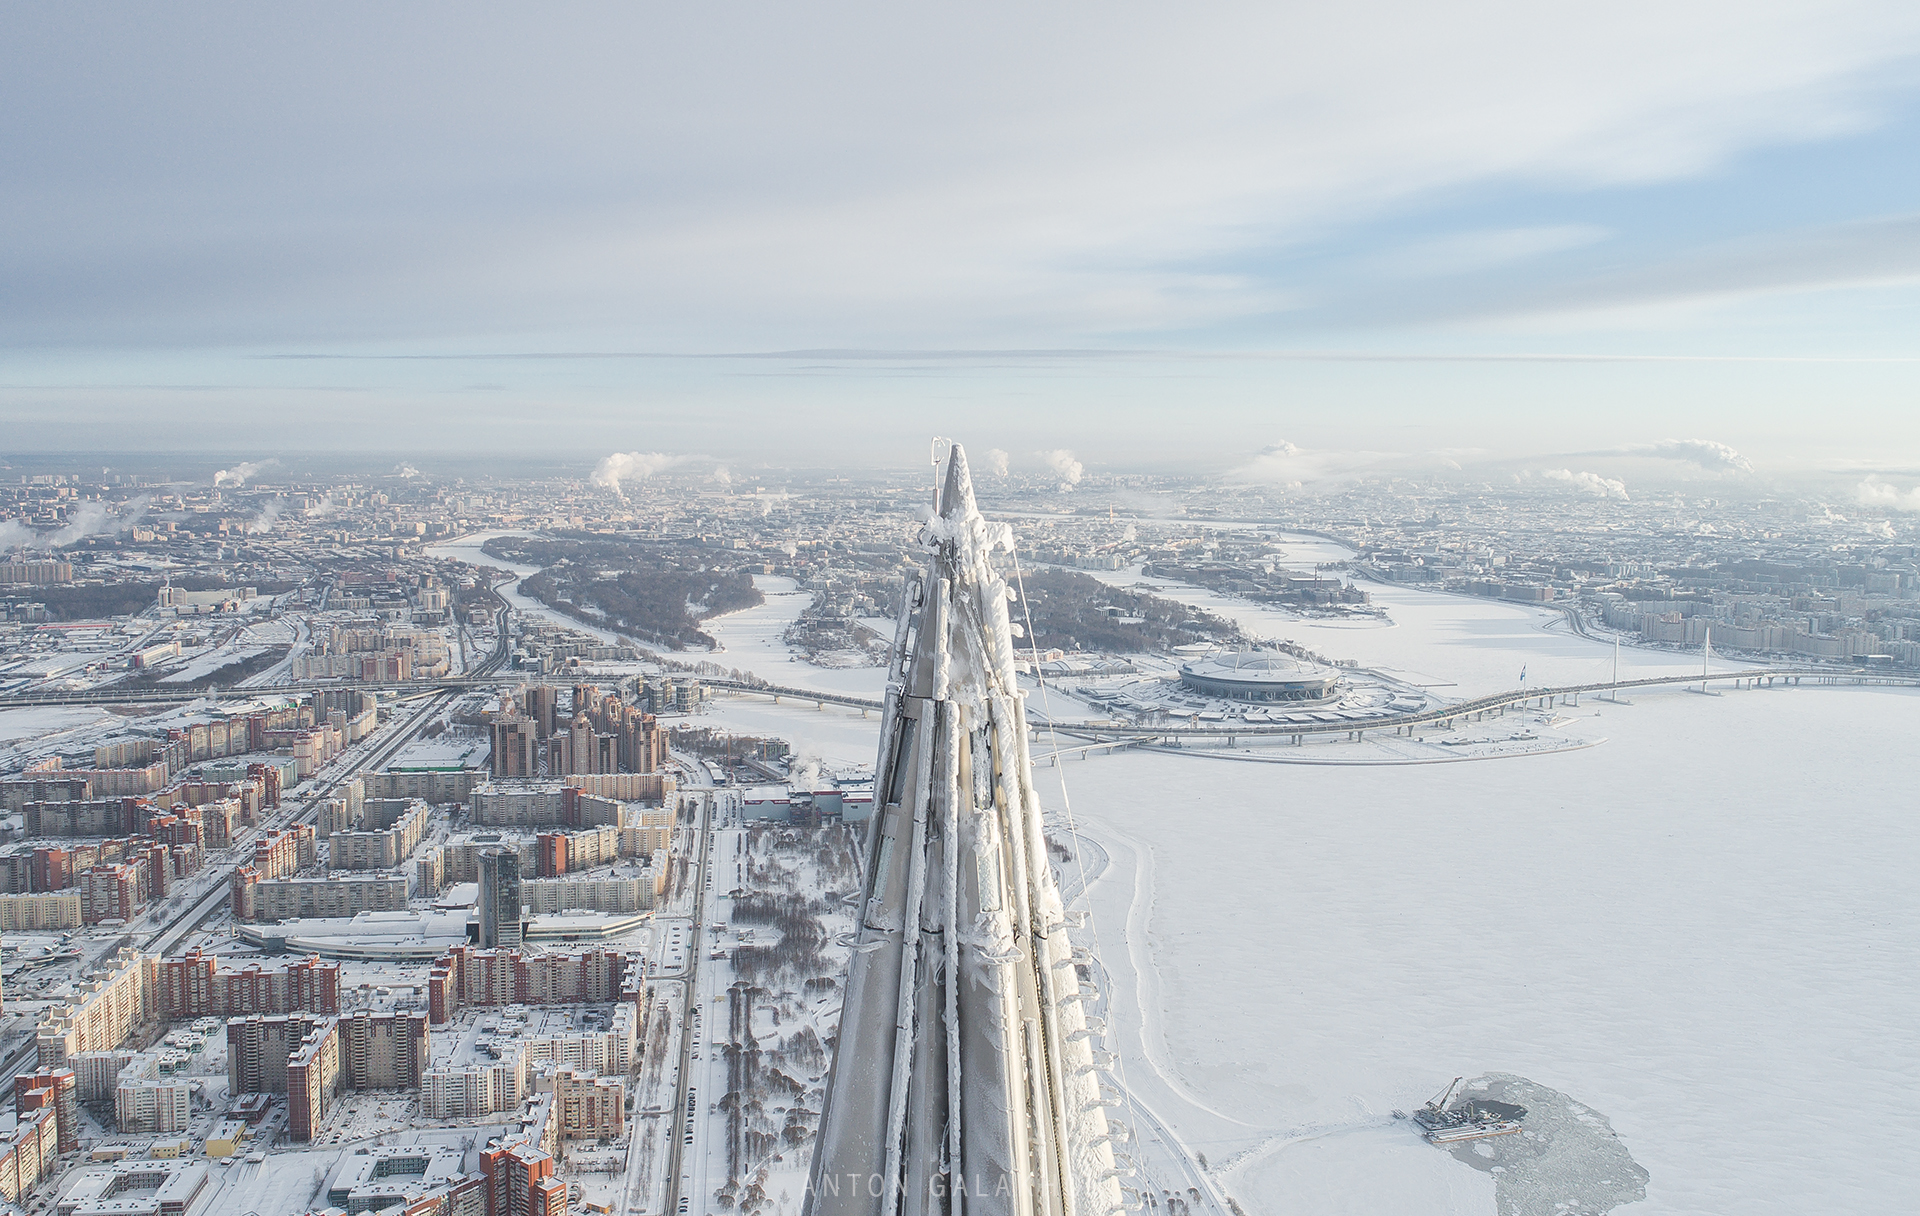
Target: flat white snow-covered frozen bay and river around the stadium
[1704, 929]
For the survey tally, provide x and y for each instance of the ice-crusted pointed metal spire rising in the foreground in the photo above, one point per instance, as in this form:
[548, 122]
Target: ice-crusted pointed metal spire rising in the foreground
[963, 1077]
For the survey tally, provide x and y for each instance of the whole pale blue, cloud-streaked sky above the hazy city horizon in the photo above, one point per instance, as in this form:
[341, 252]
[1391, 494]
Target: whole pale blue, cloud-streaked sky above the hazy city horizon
[1203, 237]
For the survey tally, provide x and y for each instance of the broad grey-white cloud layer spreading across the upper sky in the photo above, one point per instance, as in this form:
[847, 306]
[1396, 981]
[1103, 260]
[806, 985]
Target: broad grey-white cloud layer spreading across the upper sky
[1118, 180]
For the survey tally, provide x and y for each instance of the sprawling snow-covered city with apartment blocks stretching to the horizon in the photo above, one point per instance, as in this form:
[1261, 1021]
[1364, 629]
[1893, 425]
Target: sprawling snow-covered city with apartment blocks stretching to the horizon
[370, 808]
